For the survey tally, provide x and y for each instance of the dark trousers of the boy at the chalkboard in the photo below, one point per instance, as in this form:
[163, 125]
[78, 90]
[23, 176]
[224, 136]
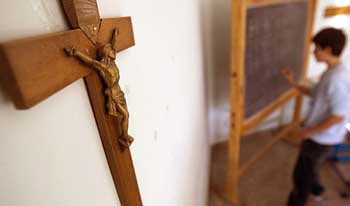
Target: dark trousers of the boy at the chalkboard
[306, 177]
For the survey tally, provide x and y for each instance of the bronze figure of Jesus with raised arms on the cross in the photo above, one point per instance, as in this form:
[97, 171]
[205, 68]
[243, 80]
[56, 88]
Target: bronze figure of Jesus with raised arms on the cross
[106, 66]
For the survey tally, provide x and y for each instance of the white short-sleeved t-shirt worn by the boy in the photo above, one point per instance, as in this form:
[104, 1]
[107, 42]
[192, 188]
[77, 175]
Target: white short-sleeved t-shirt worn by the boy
[330, 96]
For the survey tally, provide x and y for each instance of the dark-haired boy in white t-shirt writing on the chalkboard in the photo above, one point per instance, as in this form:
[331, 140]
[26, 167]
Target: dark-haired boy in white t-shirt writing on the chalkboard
[328, 114]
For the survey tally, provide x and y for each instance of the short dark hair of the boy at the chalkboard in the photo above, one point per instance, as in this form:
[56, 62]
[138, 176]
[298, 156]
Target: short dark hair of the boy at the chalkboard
[330, 37]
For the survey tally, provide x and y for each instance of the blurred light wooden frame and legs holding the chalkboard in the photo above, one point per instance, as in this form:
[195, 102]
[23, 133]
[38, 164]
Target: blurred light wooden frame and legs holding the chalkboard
[238, 125]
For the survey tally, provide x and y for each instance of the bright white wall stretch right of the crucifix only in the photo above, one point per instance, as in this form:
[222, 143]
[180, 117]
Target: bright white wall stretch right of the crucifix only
[165, 87]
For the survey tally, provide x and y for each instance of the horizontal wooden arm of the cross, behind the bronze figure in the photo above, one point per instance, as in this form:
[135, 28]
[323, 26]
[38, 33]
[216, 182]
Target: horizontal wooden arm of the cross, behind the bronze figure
[33, 69]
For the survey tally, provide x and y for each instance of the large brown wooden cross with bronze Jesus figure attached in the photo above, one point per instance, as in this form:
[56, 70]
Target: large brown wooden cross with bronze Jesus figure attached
[35, 68]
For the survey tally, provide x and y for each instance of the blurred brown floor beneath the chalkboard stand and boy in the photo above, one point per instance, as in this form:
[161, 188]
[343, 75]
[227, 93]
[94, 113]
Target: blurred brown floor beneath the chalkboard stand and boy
[268, 182]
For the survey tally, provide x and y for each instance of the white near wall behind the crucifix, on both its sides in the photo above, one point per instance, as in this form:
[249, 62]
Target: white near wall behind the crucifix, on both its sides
[52, 155]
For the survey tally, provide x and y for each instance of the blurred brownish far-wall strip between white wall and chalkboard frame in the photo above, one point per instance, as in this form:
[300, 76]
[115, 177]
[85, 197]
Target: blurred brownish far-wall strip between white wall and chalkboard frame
[216, 32]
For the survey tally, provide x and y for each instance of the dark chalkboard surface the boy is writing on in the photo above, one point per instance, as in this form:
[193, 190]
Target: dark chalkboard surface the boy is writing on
[275, 40]
